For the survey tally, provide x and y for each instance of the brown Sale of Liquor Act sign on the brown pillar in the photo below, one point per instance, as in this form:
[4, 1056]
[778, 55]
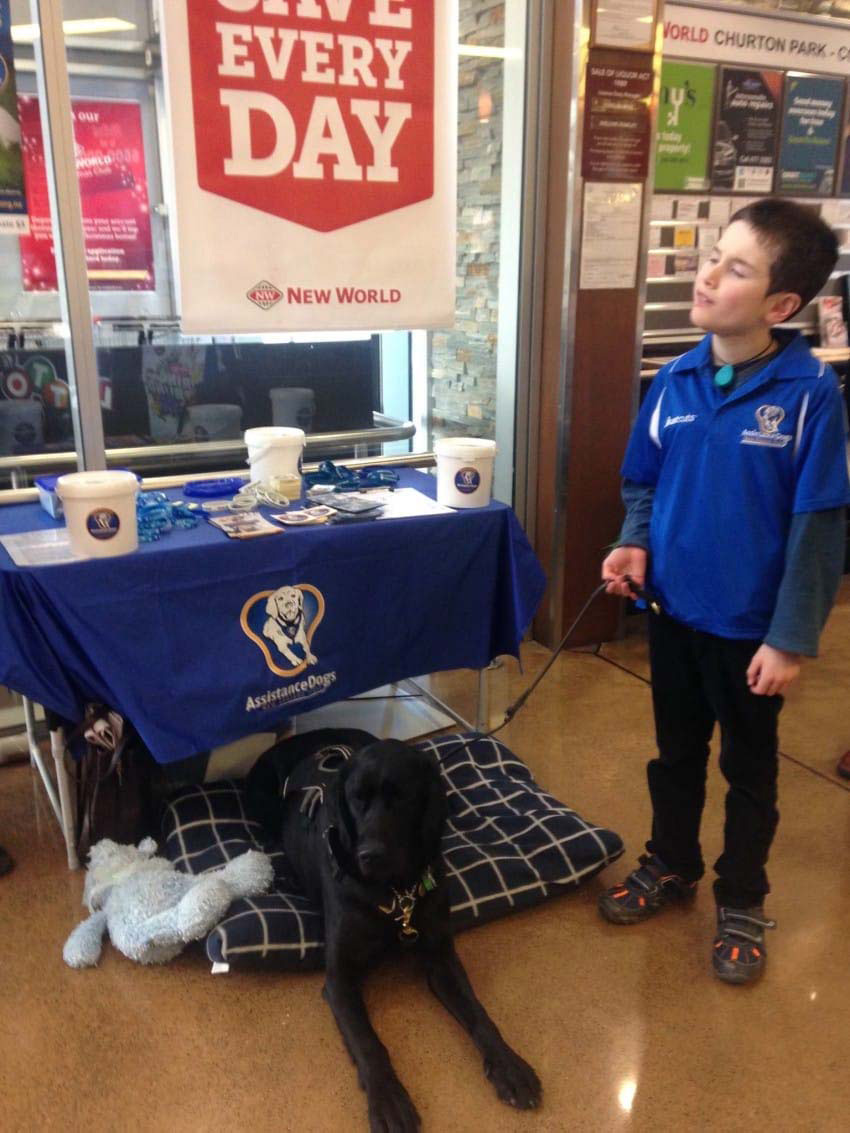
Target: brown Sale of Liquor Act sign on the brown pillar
[616, 146]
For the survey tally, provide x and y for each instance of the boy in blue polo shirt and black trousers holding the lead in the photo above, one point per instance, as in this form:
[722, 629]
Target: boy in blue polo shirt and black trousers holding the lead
[736, 488]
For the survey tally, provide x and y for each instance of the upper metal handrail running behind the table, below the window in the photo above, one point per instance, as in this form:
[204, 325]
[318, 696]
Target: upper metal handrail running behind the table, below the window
[387, 429]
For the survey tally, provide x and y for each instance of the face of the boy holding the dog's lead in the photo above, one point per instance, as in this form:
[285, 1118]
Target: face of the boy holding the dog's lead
[732, 291]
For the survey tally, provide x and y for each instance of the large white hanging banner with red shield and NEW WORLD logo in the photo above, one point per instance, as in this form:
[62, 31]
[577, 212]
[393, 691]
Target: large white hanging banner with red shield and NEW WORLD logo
[316, 163]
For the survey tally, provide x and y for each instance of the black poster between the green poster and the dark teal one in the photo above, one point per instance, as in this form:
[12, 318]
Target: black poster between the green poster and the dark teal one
[746, 131]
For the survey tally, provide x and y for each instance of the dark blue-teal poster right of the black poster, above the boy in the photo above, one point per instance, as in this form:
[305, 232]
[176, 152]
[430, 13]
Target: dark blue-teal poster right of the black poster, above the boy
[811, 135]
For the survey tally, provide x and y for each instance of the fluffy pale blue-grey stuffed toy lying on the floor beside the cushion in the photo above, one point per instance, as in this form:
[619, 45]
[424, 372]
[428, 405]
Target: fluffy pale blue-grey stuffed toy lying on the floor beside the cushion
[150, 909]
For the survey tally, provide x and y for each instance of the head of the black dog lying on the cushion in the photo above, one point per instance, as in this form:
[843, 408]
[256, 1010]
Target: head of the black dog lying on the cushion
[390, 812]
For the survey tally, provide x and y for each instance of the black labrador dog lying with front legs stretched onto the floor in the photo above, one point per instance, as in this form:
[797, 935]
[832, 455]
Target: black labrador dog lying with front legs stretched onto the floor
[362, 822]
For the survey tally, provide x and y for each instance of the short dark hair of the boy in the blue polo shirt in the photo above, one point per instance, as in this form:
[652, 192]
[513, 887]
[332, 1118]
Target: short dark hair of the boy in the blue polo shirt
[804, 249]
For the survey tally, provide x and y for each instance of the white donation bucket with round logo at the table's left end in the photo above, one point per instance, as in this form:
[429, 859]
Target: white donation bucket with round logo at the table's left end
[100, 513]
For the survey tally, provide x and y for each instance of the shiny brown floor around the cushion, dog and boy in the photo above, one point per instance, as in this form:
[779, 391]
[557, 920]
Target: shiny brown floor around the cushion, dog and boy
[626, 1027]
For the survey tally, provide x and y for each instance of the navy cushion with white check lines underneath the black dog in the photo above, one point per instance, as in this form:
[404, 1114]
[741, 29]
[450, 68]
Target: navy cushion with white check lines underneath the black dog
[508, 846]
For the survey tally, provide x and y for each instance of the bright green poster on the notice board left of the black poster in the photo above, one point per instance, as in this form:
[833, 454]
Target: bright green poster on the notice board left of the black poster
[685, 127]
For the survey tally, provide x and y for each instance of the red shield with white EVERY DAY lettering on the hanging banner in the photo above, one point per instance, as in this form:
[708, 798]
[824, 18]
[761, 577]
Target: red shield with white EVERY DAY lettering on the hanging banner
[321, 121]
